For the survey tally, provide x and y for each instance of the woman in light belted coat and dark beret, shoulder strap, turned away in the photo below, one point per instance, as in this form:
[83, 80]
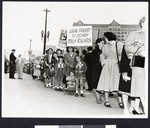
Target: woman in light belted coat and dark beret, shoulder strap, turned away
[109, 79]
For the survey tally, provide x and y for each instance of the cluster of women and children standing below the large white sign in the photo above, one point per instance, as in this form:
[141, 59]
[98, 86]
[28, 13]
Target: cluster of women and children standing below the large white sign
[62, 70]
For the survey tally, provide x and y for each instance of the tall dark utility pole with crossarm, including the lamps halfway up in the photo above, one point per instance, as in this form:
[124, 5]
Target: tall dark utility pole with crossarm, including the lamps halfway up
[45, 34]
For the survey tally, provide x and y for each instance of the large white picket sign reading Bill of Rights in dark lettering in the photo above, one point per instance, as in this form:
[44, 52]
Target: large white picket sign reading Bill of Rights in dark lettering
[79, 36]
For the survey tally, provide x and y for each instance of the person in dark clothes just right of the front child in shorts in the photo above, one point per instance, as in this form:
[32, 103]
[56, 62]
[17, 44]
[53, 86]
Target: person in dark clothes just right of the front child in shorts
[88, 61]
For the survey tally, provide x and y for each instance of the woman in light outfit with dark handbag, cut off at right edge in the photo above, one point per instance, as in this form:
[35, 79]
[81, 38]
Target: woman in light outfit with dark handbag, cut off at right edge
[134, 46]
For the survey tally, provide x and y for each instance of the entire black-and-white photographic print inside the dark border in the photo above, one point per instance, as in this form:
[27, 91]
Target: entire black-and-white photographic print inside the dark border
[74, 60]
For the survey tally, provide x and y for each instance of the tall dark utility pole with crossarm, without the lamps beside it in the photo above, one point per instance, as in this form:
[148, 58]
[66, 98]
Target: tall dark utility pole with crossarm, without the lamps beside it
[45, 33]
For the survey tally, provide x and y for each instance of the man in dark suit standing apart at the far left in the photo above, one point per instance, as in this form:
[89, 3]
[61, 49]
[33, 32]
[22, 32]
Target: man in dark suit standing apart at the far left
[12, 65]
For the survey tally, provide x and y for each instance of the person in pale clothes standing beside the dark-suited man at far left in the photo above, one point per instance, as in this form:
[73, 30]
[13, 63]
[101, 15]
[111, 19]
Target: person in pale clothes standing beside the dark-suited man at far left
[19, 66]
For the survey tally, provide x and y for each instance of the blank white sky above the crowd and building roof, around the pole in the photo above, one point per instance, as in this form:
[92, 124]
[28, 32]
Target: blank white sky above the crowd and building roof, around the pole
[24, 21]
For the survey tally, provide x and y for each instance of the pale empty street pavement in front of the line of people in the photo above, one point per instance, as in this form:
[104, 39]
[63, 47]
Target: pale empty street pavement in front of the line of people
[29, 98]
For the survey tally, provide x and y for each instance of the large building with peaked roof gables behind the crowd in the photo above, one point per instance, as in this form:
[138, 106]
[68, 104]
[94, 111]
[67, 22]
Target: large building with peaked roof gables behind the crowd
[120, 30]
